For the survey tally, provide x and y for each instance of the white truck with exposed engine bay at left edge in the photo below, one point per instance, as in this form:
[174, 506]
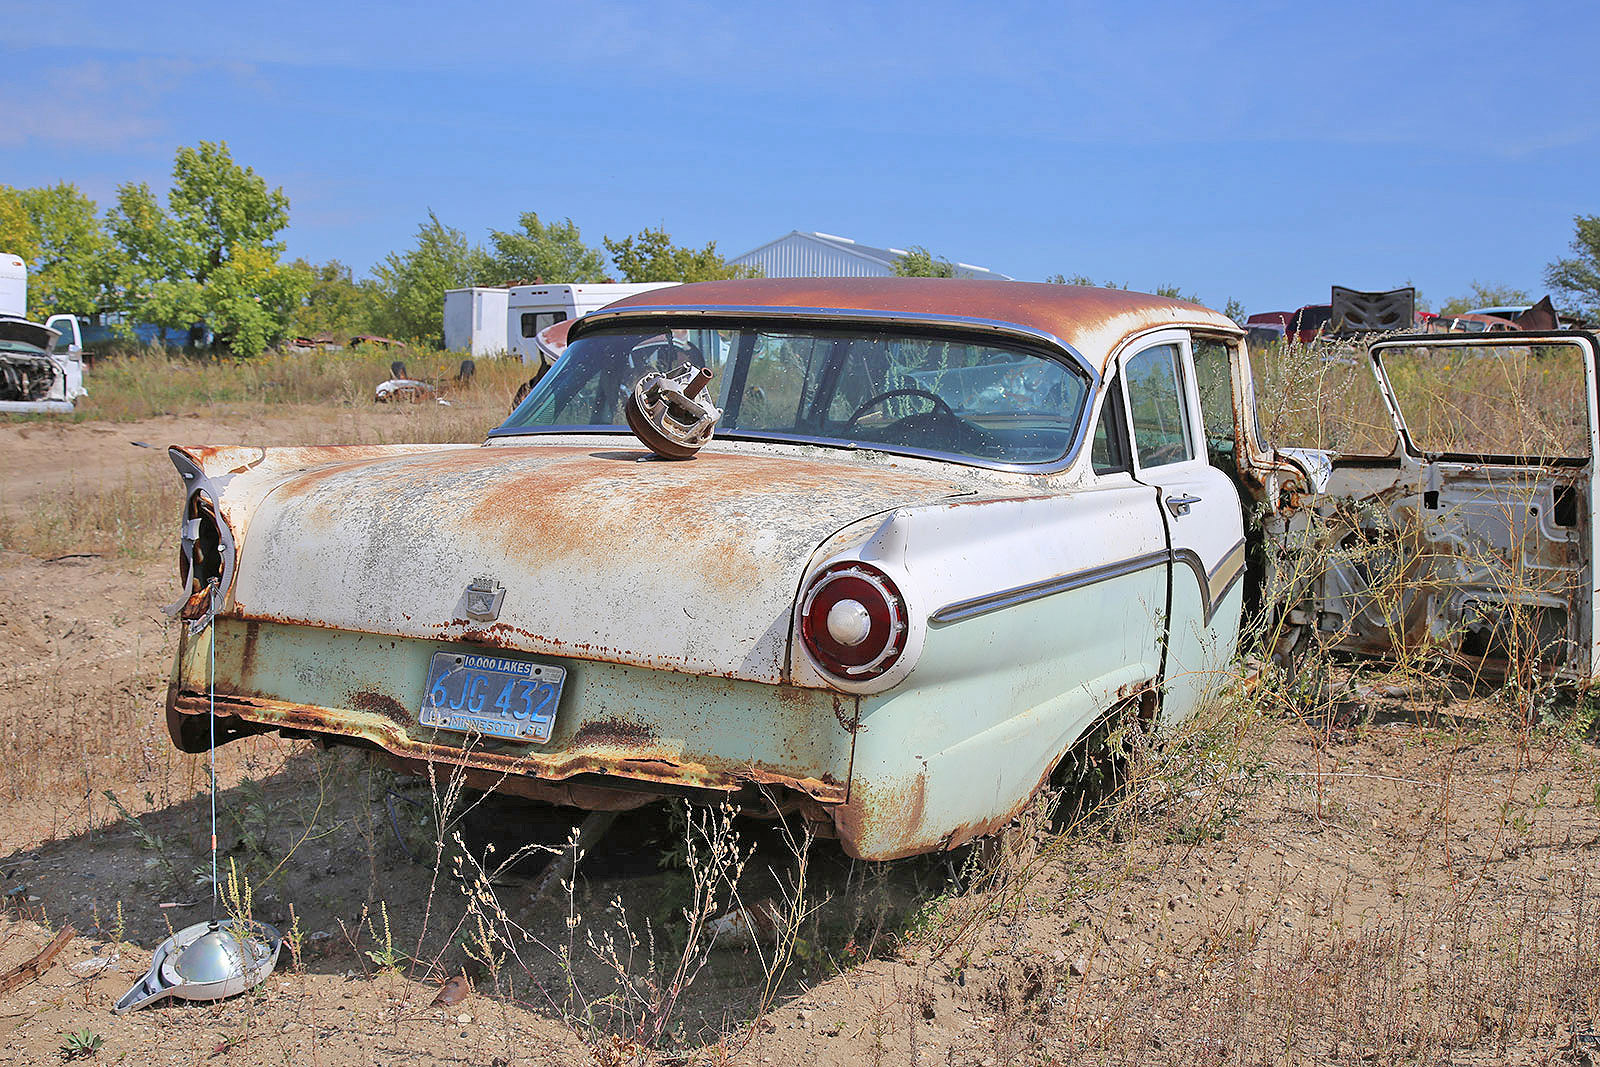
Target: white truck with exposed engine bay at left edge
[41, 364]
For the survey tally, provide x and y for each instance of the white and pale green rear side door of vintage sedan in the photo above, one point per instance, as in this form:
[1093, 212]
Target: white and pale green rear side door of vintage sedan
[1201, 510]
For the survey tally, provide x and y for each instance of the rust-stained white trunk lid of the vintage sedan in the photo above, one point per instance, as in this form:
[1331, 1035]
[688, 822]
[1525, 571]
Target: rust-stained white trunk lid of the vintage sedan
[602, 553]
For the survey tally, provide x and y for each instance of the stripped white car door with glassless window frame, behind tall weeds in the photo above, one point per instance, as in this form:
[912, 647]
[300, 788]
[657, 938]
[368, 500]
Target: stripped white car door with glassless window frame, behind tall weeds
[1473, 537]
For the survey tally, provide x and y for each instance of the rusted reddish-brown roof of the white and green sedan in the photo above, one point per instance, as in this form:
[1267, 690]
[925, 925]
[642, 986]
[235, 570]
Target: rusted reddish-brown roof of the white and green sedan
[1092, 321]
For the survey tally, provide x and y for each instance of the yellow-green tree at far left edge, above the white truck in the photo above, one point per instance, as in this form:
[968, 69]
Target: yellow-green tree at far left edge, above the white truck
[71, 262]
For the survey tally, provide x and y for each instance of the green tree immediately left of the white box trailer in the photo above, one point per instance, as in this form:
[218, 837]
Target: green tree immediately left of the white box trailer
[414, 284]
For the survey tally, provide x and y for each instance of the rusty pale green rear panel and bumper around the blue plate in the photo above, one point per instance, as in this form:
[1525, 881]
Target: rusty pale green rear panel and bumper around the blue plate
[623, 735]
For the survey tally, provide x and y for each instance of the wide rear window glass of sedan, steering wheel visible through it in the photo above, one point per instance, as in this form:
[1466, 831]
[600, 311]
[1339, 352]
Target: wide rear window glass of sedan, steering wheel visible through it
[898, 391]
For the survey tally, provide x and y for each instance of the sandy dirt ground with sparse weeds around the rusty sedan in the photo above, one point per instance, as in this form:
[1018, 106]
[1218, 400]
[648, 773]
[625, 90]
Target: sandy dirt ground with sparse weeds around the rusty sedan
[1422, 887]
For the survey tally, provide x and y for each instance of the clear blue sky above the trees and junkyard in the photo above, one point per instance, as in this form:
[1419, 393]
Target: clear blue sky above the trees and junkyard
[1252, 151]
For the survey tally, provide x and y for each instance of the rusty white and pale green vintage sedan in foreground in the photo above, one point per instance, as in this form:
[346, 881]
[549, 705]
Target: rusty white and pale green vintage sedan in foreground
[943, 529]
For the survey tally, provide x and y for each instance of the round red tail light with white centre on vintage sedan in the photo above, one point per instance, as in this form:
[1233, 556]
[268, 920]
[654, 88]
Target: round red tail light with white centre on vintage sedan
[854, 621]
